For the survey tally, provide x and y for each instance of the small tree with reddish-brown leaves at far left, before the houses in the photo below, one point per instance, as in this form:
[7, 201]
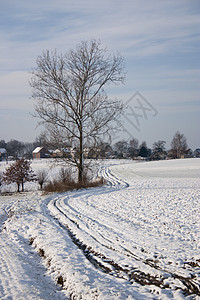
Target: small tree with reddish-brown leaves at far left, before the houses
[19, 172]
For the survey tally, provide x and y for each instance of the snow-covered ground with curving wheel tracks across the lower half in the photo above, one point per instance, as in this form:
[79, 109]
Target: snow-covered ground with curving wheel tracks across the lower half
[135, 238]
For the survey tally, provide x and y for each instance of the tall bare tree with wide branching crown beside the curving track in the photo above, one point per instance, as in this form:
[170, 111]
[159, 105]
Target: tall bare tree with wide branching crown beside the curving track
[70, 97]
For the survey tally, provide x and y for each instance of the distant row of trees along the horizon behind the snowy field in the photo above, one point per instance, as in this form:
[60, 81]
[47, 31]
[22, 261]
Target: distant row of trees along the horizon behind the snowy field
[121, 149]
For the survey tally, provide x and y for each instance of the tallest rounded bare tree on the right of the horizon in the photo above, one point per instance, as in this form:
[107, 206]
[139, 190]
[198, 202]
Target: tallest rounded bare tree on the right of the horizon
[178, 145]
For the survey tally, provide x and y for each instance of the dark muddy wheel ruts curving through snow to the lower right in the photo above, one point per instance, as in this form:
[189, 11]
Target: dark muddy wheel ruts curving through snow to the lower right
[109, 266]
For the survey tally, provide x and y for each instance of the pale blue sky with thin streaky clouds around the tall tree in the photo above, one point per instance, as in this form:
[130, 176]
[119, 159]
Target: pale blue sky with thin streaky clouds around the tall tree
[159, 39]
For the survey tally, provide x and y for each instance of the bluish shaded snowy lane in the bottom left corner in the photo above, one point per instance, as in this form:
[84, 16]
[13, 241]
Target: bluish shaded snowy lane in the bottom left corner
[22, 275]
